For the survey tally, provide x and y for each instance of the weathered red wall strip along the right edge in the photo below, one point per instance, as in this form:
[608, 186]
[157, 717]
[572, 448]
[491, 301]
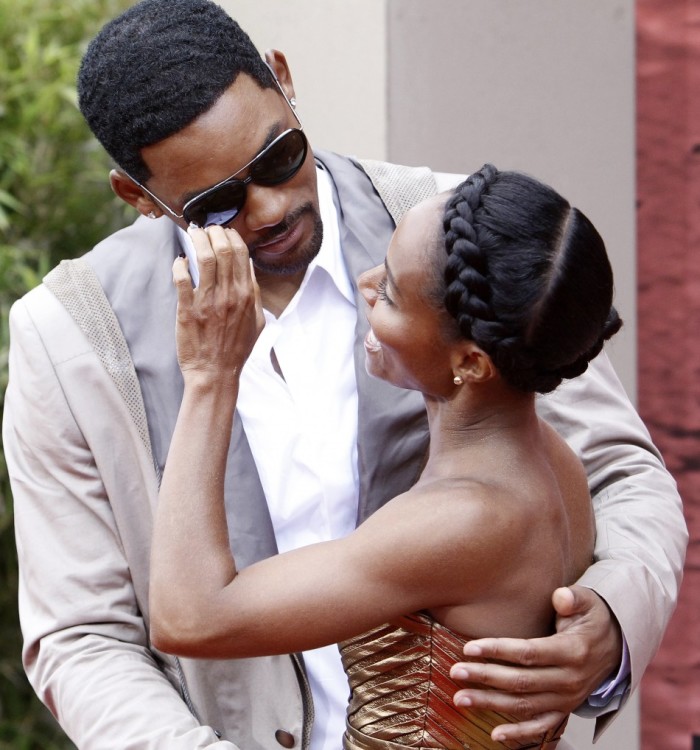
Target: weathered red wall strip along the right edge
[668, 238]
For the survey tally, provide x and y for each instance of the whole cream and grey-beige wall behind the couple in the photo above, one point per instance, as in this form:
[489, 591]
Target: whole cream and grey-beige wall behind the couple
[545, 86]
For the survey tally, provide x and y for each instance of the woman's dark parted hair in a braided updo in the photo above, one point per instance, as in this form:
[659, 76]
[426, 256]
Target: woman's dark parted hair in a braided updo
[527, 278]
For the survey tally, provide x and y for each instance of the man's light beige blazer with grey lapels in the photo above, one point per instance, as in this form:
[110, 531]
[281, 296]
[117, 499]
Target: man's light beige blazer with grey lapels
[85, 475]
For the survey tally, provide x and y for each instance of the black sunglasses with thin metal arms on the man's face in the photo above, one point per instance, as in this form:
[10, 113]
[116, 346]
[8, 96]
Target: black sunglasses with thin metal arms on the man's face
[278, 162]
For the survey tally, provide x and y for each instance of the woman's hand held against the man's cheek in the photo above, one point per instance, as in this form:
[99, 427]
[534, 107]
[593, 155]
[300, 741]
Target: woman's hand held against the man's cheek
[219, 321]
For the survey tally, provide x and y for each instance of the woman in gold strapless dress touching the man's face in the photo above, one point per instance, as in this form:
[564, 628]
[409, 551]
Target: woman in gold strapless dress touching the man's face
[488, 296]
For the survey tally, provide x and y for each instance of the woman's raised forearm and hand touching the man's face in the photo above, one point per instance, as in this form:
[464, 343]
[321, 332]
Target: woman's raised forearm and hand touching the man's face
[217, 325]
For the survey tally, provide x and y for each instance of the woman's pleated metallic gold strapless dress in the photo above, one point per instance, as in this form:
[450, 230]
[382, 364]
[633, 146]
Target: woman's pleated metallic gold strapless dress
[401, 691]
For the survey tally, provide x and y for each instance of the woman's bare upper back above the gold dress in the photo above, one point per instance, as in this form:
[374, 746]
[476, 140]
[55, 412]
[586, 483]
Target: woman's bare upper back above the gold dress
[535, 532]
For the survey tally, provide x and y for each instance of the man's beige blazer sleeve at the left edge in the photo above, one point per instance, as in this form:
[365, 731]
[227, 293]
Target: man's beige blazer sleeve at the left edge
[85, 642]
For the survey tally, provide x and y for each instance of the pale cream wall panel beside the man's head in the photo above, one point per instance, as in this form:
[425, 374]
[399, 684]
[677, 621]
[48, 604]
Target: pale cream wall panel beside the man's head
[337, 52]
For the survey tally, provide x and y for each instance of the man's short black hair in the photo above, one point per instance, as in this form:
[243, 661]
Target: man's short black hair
[157, 67]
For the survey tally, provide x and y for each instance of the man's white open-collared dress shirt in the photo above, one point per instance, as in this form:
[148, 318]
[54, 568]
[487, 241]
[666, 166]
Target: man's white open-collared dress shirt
[302, 430]
